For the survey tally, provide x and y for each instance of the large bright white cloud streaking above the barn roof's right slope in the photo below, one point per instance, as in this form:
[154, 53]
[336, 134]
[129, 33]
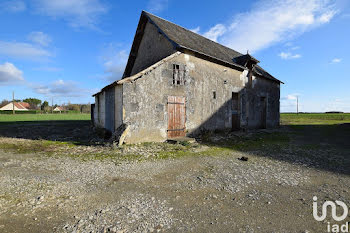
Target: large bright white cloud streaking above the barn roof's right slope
[273, 21]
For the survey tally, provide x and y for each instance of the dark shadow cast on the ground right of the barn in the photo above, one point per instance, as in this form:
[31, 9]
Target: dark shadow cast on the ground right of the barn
[324, 147]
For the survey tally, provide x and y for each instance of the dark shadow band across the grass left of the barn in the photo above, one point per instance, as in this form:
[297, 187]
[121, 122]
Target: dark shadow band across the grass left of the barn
[78, 132]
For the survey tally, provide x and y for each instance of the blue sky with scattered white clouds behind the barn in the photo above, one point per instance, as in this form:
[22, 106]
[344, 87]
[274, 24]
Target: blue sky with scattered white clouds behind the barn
[69, 49]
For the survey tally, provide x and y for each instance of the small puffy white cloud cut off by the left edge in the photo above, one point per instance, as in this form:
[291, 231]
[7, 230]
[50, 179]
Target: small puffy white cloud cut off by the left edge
[10, 74]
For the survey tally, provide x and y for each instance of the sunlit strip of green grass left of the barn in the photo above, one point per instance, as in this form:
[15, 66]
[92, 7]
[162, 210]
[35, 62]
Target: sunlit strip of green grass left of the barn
[43, 117]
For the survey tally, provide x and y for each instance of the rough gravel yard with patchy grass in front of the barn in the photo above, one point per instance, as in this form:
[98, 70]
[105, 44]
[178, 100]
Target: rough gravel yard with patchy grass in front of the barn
[209, 190]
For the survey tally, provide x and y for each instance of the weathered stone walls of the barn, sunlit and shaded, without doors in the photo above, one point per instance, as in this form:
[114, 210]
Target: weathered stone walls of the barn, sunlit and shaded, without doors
[142, 104]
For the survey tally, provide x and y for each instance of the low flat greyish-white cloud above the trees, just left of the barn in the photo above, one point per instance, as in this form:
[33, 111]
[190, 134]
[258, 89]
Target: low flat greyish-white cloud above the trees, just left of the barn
[61, 88]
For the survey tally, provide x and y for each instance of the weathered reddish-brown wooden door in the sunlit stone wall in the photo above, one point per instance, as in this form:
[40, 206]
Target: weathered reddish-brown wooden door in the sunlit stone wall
[176, 116]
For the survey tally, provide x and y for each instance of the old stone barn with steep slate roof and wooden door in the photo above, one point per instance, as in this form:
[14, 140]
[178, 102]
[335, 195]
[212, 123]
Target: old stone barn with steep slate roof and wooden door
[177, 83]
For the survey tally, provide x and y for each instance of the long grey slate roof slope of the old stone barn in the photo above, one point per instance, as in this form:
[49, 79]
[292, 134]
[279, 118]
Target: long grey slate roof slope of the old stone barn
[185, 39]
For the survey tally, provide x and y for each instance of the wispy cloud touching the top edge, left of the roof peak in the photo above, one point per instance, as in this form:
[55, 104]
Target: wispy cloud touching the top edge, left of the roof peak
[78, 13]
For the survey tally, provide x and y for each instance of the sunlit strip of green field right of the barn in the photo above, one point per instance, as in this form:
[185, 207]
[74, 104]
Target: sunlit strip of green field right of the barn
[314, 118]
